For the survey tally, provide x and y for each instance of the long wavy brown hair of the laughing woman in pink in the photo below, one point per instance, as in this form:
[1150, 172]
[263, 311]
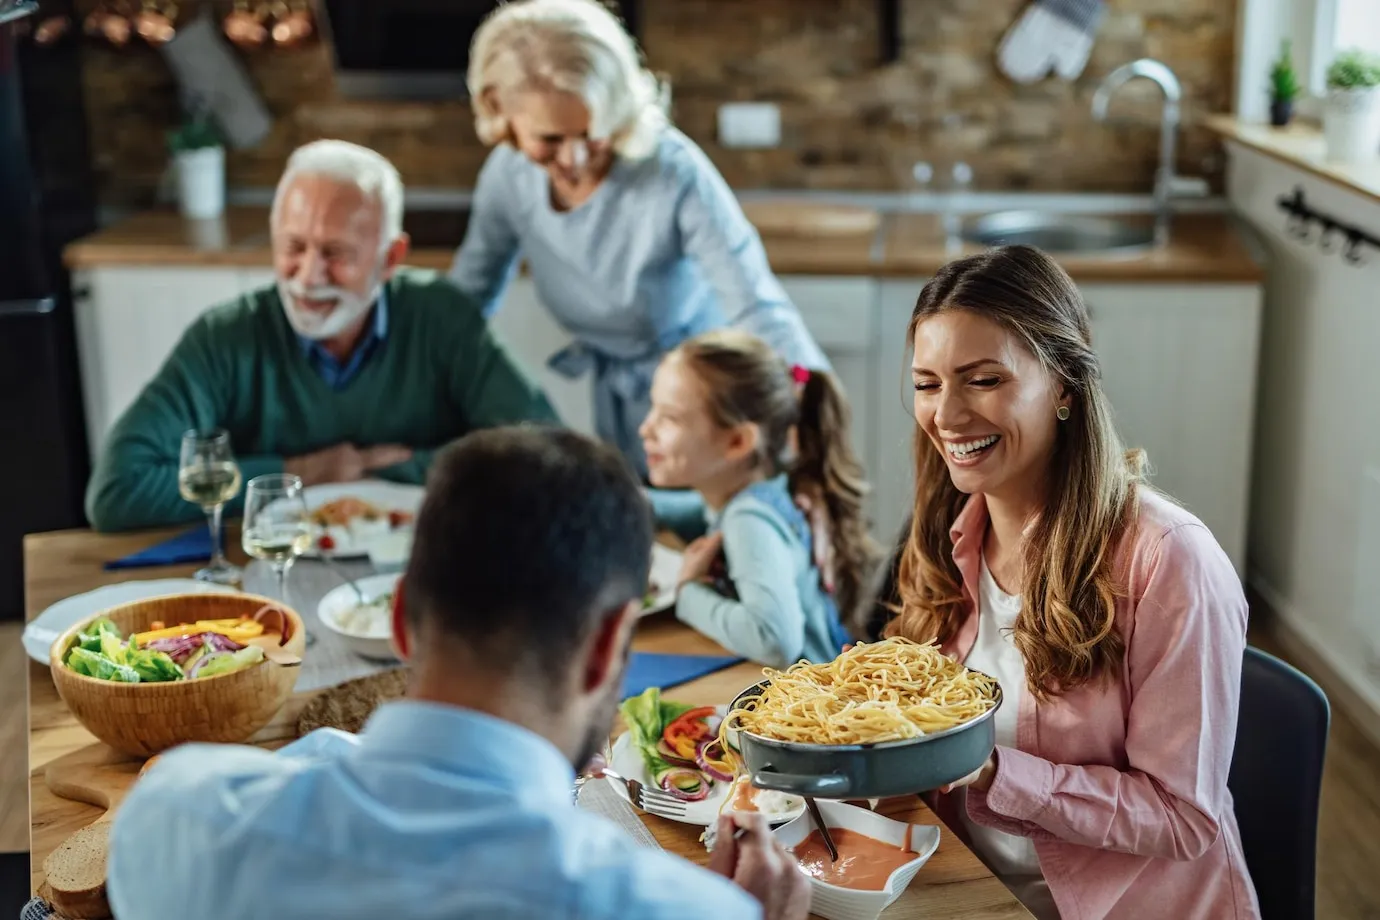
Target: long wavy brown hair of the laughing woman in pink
[1067, 627]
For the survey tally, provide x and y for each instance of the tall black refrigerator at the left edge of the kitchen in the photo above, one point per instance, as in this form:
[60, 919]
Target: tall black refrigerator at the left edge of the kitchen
[48, 199]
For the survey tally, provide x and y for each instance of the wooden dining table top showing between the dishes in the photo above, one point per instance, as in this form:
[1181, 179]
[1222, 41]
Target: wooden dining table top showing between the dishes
[953, 885]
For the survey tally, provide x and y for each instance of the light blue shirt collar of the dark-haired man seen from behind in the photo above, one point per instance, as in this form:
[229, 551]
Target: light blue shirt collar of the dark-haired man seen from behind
[451, 739]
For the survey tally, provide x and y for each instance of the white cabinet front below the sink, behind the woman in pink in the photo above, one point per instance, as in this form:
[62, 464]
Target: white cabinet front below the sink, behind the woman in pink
[1179, 366]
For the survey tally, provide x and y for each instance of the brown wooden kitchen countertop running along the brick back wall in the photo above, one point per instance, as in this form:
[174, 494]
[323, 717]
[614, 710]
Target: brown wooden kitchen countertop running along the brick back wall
[1204, 248]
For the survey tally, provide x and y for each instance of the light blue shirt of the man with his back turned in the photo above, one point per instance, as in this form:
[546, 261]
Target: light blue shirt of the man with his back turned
[433, 813]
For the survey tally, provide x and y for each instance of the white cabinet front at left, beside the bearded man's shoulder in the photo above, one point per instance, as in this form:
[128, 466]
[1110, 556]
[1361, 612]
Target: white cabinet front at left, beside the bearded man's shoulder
[128, 322]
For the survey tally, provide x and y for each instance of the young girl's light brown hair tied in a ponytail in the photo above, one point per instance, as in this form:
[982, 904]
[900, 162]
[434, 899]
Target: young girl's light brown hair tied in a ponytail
[746, 381]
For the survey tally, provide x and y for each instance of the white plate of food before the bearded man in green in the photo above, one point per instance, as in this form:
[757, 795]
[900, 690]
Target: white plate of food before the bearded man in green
[362, 519]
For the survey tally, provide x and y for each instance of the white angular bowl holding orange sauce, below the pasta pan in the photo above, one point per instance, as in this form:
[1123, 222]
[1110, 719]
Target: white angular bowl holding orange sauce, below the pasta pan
[834, 903]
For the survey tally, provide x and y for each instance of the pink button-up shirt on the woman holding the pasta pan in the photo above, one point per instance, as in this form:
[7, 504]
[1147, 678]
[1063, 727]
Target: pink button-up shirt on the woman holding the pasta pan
[1124, 787]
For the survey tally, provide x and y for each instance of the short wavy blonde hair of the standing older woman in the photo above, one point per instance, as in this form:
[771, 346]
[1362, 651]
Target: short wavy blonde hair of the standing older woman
[568, 46]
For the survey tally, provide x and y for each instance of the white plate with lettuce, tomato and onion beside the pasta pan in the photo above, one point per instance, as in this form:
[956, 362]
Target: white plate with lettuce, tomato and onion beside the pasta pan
[676, 748]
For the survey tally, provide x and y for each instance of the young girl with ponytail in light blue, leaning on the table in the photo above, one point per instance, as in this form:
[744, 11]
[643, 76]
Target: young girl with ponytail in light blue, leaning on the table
[750, 434]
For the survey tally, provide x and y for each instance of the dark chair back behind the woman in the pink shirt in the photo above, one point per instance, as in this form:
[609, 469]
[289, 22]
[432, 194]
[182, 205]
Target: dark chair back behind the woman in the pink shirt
[1276, 781]
